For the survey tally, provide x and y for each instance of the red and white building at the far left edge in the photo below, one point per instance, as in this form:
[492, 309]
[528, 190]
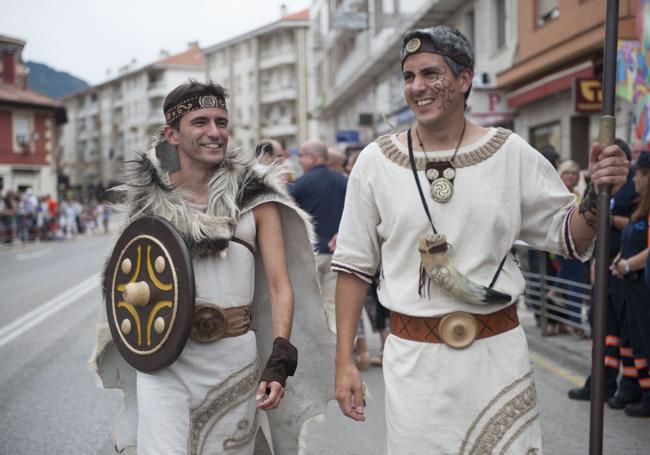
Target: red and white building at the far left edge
[29, 127]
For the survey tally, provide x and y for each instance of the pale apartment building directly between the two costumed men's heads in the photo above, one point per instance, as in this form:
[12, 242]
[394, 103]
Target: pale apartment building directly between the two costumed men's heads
[266, 74]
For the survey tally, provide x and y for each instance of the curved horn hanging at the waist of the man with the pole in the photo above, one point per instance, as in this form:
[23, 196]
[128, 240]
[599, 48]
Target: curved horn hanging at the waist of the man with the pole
[433, 251]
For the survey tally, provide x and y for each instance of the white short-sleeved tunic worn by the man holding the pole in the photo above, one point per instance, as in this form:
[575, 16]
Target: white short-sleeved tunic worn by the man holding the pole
[439, 398]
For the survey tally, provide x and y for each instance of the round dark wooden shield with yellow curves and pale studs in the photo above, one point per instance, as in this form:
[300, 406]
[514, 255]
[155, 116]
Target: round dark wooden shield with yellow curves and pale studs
[149, 287]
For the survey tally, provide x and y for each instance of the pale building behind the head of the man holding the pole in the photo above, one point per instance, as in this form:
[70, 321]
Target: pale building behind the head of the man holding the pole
[358, 87]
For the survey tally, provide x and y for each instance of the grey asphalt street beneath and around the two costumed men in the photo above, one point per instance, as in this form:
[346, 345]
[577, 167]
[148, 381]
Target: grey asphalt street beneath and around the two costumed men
[50, 403]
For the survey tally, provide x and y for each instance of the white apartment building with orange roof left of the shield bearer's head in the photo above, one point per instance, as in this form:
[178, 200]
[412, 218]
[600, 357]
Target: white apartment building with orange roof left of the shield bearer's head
[110, 122]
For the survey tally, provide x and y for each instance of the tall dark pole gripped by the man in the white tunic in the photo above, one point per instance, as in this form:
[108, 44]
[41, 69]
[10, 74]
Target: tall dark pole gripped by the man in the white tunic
[605, 138]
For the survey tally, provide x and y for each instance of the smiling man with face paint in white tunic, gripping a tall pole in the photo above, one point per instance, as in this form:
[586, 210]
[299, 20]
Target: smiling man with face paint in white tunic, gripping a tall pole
[440, 205]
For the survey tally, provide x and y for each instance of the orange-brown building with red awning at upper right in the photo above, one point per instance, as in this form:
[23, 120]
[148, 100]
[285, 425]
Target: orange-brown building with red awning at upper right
[554, 82]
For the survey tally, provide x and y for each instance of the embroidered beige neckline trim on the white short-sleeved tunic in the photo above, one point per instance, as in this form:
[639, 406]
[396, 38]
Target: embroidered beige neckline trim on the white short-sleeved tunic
[481, 153]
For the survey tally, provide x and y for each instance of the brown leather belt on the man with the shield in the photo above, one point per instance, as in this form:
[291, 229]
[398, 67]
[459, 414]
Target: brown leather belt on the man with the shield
[211, 322]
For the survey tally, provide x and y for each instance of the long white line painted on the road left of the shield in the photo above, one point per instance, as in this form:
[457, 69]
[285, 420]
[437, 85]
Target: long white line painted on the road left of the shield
[21, 325]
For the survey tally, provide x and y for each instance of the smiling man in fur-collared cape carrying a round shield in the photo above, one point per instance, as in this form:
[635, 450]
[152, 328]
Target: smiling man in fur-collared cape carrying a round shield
[198, 292]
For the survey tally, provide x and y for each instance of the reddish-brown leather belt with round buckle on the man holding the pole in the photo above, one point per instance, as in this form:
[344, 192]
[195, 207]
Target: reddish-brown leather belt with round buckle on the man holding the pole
[457, 330]
